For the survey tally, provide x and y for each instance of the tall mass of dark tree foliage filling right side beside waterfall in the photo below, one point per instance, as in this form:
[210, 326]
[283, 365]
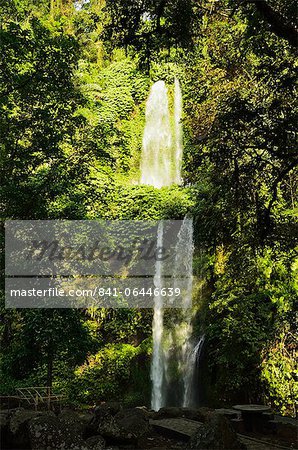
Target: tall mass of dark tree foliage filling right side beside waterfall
[240, 159]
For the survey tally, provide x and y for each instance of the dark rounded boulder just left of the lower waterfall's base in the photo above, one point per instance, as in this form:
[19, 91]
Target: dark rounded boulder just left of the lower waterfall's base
[134, 421]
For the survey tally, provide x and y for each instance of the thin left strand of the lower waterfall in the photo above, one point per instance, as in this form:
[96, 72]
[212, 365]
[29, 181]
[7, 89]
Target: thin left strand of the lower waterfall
[158, 360]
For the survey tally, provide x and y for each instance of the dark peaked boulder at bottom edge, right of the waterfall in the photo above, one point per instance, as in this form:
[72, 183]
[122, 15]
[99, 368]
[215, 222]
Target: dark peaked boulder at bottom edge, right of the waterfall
[216, 434]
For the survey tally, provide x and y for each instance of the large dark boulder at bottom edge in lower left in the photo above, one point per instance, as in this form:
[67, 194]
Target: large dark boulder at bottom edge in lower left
[50, 433]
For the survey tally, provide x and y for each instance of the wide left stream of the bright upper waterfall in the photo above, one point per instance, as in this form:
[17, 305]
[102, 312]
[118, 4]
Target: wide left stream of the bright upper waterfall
[156, 157]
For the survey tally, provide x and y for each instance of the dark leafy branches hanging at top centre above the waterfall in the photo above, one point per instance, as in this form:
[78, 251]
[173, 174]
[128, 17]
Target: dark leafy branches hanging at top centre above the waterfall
[149, 27]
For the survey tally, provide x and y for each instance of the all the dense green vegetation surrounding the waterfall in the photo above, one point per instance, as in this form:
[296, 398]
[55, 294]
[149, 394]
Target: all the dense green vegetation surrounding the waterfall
[74, 80]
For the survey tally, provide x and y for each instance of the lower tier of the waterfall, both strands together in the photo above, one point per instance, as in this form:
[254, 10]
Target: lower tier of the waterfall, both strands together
[181, 338]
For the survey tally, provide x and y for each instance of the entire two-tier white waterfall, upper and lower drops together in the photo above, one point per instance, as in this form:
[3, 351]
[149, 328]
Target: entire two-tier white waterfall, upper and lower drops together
[161, 163]
